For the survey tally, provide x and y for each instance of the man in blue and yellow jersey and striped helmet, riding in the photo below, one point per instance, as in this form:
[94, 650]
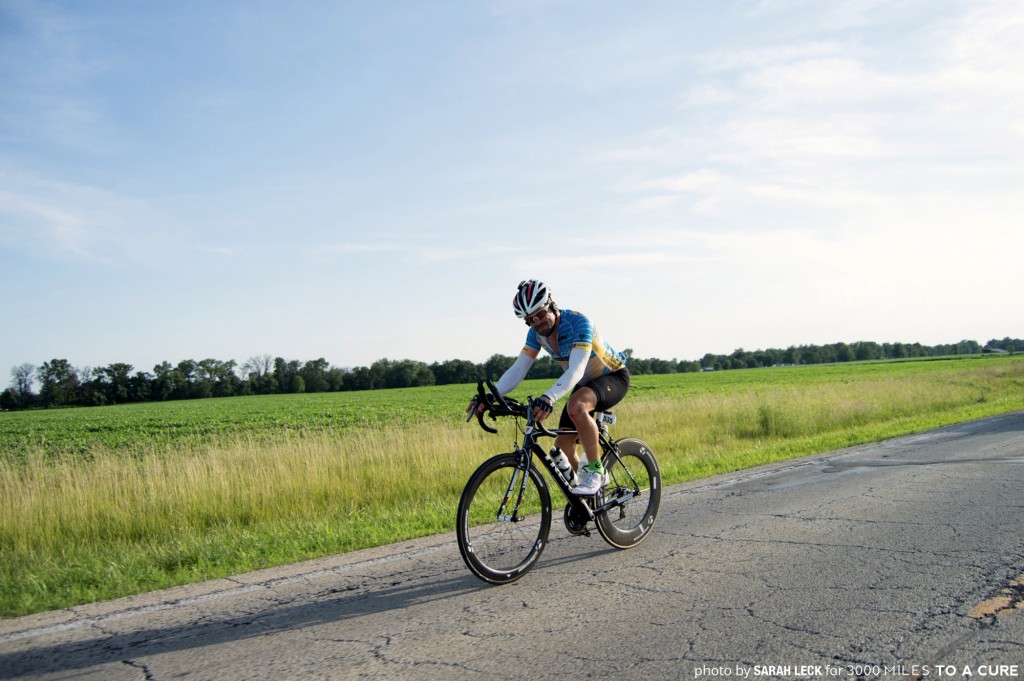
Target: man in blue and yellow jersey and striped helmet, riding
[595, 376]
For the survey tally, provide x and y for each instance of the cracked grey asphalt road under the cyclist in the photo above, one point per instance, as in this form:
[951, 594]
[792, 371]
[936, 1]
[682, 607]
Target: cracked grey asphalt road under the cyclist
[904, 560]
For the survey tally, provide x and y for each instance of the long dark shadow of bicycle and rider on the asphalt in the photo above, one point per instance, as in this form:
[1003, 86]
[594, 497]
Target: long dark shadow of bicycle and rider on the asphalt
[331, 606]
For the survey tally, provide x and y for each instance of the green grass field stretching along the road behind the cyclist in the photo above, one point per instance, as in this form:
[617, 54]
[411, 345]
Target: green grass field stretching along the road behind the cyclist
[105, 502]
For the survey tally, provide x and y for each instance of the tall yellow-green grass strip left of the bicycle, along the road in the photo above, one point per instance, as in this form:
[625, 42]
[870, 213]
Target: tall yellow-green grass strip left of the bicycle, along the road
[75, 531]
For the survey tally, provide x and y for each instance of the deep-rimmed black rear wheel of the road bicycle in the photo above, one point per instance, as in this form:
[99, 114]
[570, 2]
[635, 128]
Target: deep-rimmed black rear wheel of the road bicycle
[634, 473]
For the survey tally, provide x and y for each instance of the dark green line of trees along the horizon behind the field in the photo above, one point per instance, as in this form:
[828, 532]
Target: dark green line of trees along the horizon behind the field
[61, 385]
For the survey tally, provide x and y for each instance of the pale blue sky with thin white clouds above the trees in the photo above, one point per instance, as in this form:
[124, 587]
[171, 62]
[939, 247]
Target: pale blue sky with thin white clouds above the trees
[358, 181]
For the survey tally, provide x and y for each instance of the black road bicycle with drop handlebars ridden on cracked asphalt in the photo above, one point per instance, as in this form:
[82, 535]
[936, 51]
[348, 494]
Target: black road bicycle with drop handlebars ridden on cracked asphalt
[505, 513]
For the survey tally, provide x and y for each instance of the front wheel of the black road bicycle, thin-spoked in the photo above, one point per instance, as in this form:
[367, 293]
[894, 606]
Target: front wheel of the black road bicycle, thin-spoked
[499, 539]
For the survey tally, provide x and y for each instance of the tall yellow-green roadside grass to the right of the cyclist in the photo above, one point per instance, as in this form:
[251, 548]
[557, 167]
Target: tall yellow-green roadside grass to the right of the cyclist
[706, 435]
